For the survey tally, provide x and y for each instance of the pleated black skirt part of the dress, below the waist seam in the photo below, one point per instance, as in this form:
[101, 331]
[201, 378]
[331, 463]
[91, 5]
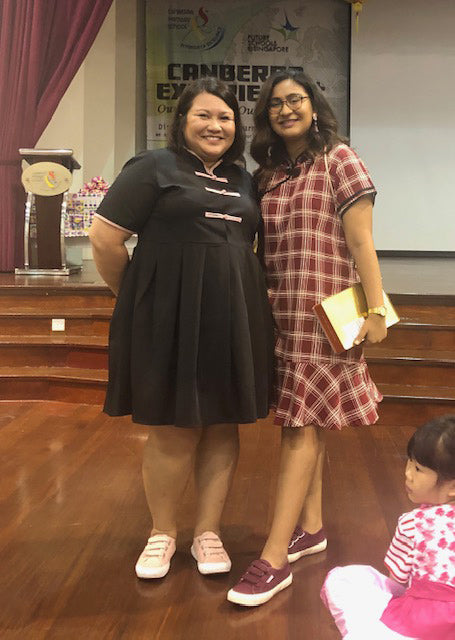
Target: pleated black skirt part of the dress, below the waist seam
[191, 337]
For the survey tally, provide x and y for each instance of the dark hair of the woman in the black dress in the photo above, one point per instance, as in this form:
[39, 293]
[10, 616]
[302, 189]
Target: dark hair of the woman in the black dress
[176, 138]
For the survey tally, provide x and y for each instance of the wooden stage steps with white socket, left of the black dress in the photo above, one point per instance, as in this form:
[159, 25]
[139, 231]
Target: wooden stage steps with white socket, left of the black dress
[39, 362]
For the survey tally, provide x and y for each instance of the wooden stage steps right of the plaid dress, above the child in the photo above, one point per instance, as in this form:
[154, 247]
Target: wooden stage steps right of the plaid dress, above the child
[414, 368]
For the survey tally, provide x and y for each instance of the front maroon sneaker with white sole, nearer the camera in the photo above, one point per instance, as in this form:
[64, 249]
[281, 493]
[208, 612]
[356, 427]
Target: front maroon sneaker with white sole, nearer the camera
[260, 583]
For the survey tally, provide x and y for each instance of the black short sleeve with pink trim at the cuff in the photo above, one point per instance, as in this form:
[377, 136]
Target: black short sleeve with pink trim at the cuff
[132, 197]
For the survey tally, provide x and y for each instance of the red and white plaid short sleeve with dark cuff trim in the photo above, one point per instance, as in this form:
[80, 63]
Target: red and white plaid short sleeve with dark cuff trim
[351, 179]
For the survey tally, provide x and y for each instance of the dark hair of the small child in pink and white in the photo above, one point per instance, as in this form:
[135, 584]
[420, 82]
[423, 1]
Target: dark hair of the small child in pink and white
[433, 446]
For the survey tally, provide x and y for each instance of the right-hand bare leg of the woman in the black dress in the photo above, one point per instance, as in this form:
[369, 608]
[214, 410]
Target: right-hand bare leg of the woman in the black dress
[216, 460]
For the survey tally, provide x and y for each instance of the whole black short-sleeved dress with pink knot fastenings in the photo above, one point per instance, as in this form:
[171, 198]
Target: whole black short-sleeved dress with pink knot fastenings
[191, 336]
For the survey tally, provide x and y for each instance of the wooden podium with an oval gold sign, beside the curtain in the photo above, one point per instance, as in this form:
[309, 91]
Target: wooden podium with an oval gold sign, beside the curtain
[46, 181]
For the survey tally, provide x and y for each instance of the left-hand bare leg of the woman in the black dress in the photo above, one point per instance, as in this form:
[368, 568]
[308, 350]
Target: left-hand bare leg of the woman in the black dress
[168, 459]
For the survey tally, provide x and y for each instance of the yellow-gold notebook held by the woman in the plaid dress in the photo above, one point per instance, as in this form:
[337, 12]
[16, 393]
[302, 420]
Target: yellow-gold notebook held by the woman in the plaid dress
[342, 316]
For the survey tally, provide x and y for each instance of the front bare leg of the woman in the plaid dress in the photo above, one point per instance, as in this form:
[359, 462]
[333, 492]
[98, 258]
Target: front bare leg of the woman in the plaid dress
[300, 450]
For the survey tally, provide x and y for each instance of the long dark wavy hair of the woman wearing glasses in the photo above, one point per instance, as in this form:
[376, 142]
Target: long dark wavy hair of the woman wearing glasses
[267, 148]
